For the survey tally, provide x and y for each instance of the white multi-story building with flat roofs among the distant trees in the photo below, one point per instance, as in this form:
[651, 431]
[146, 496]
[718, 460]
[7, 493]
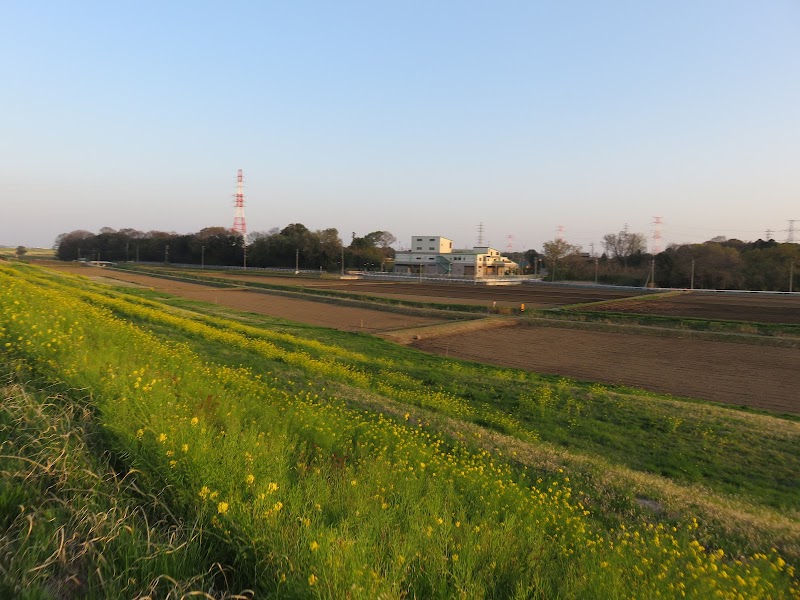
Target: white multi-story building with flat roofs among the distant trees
[434, 255]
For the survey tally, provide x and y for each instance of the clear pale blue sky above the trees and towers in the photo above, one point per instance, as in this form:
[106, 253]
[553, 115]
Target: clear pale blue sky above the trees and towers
[412, 117]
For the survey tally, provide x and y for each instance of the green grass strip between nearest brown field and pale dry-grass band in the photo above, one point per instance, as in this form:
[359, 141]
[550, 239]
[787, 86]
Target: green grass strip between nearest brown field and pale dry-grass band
[691, 442]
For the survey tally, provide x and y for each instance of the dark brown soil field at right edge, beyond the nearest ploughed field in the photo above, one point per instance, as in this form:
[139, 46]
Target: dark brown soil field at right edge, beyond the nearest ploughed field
[760, 308]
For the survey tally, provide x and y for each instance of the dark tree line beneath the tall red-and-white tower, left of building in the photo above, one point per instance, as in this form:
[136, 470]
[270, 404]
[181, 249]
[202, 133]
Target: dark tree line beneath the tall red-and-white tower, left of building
[293, 246]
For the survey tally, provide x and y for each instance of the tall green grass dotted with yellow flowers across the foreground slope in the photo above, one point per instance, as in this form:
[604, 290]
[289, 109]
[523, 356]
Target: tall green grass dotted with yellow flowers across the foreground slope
[305, 495]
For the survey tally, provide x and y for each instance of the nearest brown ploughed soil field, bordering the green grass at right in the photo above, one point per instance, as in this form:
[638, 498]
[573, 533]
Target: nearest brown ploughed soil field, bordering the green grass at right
[757, 376]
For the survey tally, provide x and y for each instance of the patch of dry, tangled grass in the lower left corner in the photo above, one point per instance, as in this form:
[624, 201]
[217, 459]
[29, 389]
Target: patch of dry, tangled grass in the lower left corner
[70, 526]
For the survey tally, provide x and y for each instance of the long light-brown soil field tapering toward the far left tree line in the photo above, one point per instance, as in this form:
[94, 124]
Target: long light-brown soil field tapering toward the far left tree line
[303, 311]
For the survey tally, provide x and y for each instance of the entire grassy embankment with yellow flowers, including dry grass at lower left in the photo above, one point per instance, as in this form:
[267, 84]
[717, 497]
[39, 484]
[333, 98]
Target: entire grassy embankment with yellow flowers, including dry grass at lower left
[151, 447]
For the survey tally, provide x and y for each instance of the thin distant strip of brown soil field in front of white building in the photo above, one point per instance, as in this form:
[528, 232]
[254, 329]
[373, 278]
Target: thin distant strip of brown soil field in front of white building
[533, 295]
